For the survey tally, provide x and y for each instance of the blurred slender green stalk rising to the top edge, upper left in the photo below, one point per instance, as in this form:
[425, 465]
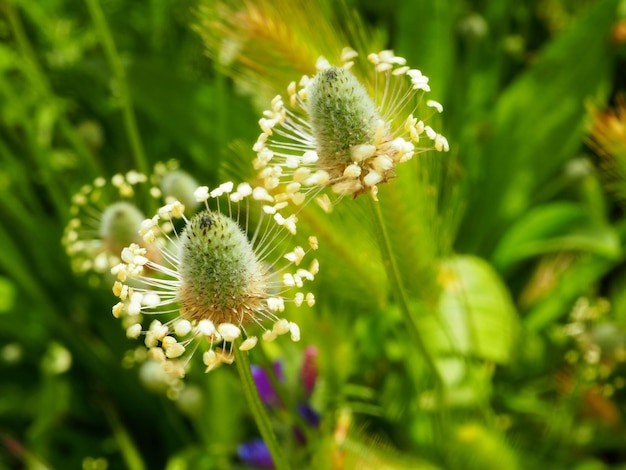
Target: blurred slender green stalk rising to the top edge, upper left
[123, 92]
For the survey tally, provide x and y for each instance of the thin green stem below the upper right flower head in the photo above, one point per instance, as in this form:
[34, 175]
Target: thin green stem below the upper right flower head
[393, 274]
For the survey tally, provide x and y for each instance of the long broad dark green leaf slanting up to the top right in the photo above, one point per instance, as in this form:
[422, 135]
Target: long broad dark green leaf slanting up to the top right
[537, 125]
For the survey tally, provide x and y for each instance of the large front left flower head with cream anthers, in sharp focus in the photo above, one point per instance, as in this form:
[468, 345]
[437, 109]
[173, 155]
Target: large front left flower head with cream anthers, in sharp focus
[216, 280]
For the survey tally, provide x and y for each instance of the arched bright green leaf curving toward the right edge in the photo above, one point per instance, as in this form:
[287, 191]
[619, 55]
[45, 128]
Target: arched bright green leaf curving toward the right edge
[555, 227]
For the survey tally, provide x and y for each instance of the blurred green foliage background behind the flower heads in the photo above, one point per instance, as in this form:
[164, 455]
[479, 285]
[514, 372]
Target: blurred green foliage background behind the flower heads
[510, 247]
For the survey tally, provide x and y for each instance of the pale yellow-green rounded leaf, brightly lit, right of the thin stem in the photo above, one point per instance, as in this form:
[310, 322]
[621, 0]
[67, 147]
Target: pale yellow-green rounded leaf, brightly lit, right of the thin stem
[476, 314]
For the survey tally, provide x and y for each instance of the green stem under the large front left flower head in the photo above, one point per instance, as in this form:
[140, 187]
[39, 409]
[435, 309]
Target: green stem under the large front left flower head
[258, 409]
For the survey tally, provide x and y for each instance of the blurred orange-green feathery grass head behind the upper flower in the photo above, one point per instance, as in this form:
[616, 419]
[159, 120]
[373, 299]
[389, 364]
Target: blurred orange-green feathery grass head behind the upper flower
[259, 43]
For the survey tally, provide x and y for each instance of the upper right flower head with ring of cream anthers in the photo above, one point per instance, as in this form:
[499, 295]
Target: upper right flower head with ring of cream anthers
[336, 131]
